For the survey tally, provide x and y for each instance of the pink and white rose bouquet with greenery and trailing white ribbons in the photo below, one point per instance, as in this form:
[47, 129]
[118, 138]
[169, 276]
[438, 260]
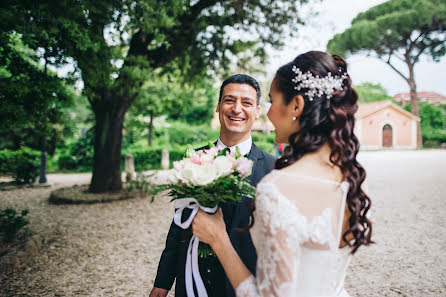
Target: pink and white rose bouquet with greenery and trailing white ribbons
[202, 180]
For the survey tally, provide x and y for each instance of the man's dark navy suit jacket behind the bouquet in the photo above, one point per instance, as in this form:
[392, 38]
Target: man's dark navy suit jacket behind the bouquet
[173, 258]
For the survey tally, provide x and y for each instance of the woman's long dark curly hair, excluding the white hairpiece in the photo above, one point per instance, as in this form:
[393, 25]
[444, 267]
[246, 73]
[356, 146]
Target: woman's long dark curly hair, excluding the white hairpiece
[329, 121]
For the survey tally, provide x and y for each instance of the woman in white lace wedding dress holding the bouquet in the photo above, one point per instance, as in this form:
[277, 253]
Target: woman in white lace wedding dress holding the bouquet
[310, 212]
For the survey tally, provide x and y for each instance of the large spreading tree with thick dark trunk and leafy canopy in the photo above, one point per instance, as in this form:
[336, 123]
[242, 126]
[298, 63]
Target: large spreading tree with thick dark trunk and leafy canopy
[118, 45]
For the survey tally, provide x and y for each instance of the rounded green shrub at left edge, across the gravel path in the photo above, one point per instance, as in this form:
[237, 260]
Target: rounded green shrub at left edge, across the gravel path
[22, 165]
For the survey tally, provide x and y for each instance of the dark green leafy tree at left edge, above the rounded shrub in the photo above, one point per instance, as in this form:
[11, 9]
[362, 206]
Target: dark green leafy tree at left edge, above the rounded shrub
[32, 97]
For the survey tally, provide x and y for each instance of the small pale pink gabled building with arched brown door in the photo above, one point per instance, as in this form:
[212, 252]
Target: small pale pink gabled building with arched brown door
[383, 124]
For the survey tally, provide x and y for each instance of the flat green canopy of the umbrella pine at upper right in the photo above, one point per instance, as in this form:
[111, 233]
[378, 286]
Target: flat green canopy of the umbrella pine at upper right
[395, 25]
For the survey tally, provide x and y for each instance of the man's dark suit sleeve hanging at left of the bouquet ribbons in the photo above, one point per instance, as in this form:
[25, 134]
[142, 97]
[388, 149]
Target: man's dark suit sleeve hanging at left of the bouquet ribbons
[167, 266]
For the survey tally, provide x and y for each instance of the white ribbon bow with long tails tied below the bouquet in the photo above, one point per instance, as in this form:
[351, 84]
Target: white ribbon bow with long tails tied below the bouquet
[192, 273]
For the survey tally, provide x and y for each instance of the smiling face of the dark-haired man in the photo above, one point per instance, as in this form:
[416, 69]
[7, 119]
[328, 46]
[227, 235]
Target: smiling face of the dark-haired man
[238, 109]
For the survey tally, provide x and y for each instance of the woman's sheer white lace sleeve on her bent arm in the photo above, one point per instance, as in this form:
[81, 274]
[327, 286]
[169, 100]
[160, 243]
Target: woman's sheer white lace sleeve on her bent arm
[278, 246]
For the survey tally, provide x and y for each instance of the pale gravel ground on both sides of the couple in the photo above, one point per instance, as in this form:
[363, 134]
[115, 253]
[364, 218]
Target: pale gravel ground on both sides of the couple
[113, 249]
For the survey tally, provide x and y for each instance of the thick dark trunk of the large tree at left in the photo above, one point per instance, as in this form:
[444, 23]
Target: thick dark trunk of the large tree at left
[107, 147]
